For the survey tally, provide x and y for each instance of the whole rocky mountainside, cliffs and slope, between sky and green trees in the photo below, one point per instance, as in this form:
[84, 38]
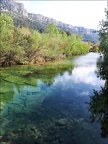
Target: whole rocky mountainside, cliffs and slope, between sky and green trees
[37, 21]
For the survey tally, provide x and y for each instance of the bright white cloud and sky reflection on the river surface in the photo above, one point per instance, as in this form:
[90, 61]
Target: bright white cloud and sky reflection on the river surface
[83, 77]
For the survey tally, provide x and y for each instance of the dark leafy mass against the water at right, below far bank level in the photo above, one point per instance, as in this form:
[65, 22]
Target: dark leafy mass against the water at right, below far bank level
[98, 105]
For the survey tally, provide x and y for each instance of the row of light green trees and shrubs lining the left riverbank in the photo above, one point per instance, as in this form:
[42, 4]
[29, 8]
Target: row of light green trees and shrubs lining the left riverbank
[27, 46]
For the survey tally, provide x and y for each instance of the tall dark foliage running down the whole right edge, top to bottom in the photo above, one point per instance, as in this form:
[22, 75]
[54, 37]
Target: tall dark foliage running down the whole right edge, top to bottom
[98, 105]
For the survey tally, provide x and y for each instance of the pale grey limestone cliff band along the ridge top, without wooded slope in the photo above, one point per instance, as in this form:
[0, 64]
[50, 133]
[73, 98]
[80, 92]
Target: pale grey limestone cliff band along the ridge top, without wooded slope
[18, 9]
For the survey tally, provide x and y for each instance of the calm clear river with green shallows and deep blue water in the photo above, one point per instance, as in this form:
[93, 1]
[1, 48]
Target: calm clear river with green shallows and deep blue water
[50, 106]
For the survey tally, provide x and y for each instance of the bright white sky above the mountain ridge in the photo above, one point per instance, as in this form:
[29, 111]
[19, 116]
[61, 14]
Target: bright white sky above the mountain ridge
[77, 13]
